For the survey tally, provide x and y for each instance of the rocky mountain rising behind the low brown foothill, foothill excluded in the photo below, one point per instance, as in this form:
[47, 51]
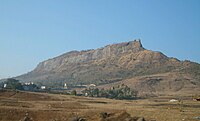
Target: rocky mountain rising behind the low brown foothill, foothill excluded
[107, 65]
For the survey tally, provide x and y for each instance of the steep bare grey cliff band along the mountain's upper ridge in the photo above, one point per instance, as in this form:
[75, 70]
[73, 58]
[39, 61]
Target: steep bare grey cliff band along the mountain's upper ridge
[75, 57]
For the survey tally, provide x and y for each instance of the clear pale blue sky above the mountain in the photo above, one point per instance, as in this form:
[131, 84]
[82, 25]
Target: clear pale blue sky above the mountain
[35, 30]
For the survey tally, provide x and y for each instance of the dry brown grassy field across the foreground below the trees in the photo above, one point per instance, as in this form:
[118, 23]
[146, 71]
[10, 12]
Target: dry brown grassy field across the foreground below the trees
[29, 106]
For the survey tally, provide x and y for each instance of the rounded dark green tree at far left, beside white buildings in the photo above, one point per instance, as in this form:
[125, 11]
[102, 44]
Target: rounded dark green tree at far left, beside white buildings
[13, 84]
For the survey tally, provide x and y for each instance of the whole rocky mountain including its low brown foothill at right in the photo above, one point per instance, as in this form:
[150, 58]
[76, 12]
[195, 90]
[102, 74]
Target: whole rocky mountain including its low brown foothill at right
[127, 62]
